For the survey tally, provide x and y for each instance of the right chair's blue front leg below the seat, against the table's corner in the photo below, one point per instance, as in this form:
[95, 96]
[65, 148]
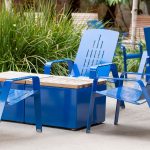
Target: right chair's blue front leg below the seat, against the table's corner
[90, 114]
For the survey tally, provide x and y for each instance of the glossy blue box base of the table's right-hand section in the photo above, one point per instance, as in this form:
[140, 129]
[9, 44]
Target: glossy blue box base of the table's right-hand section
[66, 108]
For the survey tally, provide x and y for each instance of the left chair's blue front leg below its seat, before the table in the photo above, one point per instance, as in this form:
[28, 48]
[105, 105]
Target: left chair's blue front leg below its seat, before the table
[37, 108]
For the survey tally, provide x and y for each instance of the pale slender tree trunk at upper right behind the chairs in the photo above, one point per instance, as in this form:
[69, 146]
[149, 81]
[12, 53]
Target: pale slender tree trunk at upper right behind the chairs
[134, 17]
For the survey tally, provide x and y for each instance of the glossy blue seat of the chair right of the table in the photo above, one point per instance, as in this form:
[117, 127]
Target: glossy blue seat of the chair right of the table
[127, 94]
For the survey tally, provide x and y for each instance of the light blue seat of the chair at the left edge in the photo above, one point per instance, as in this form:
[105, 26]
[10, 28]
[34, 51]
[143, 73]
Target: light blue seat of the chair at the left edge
[18, 95]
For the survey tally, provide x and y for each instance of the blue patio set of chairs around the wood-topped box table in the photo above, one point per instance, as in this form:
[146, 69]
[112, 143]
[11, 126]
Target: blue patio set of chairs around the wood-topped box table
[79, 100]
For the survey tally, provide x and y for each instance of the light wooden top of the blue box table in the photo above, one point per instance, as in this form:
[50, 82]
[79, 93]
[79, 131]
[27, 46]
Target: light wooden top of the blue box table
[51, 80]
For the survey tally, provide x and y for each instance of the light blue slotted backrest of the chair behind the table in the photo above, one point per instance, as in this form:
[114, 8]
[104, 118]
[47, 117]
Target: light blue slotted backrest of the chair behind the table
[97, 46]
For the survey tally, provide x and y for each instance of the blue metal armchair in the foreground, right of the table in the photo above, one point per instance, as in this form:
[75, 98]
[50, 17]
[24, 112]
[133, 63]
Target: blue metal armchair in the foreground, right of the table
[139, 94]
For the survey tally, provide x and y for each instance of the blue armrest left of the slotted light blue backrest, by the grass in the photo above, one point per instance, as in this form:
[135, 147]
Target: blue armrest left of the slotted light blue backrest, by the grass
[48, 65]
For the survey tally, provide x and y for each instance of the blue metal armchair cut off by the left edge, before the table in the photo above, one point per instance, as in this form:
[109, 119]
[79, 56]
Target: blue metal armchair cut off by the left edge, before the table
[12, 96]
